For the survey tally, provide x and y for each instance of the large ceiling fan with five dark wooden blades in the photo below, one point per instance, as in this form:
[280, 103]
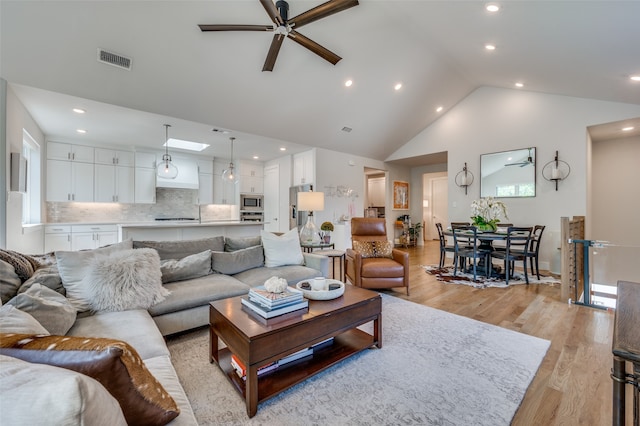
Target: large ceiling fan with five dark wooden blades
[284, 27]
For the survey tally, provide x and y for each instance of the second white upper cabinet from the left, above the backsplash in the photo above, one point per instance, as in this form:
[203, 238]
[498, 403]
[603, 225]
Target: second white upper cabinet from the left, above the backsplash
[114, 184]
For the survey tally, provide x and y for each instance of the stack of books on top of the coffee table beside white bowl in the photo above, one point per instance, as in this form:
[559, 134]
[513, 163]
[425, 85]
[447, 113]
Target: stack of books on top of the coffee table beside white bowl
[269, 305]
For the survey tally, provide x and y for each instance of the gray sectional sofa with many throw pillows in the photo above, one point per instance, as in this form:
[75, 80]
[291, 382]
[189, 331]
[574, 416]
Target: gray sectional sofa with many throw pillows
[28, 397]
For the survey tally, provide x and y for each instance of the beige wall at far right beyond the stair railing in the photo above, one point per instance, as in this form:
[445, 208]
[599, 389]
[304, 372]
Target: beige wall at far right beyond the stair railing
[614, 209]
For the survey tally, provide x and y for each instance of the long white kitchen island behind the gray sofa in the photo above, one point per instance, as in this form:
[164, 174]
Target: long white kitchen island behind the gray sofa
[187, 230]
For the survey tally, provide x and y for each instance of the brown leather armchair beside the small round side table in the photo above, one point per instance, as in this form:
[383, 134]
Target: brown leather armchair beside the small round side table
[375, 272]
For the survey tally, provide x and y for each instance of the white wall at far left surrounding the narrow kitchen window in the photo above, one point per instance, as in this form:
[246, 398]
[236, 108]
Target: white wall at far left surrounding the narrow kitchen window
[25, 240]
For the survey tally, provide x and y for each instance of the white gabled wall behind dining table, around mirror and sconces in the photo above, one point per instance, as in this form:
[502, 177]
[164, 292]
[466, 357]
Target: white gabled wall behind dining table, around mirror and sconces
[491, 120]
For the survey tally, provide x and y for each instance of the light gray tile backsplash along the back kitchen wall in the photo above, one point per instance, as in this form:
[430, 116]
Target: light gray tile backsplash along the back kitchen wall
[170, 203]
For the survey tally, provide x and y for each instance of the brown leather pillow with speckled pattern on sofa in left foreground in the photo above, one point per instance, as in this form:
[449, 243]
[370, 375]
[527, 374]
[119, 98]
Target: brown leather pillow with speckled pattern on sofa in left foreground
[113, 363]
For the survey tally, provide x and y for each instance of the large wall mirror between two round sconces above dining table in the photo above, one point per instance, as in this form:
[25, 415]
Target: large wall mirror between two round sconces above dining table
[508, 174]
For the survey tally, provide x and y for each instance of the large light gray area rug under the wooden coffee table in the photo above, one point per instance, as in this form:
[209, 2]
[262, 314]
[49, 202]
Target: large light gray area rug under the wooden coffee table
[434, 368]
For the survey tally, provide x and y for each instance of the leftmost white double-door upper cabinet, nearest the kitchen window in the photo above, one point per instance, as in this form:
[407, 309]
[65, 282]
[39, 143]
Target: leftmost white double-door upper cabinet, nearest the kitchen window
[69, 181]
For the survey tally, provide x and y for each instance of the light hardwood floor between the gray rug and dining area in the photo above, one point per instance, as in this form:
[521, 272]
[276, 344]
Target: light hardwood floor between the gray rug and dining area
[572, 386]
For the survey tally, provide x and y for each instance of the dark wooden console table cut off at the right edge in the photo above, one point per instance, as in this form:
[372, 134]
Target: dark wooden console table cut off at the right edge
[626, 348]
